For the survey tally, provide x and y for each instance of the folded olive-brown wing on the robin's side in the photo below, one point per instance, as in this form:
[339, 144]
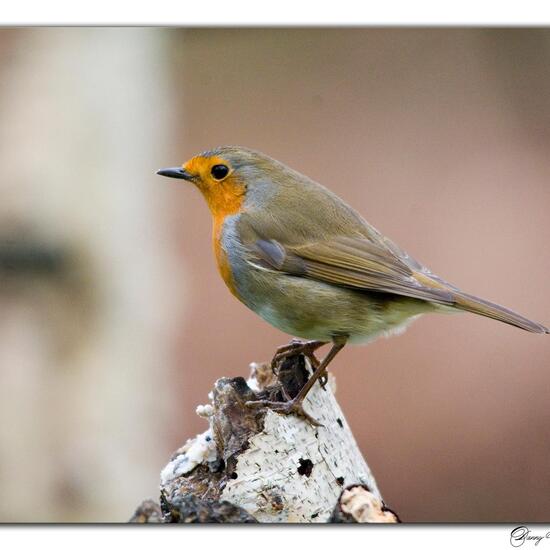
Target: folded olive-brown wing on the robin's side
[352, 262]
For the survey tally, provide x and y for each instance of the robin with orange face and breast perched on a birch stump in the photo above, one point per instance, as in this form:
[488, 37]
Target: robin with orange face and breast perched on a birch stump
[306, 262]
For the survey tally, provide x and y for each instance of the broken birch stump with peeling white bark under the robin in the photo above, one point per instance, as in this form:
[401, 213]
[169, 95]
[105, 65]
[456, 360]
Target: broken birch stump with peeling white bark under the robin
[255, 465]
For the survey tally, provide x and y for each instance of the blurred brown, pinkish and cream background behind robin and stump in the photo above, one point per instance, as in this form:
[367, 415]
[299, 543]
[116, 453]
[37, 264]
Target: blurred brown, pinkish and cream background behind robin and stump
[113, 320]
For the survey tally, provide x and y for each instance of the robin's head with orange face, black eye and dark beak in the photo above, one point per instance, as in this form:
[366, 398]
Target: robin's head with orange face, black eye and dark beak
[226, 175]
